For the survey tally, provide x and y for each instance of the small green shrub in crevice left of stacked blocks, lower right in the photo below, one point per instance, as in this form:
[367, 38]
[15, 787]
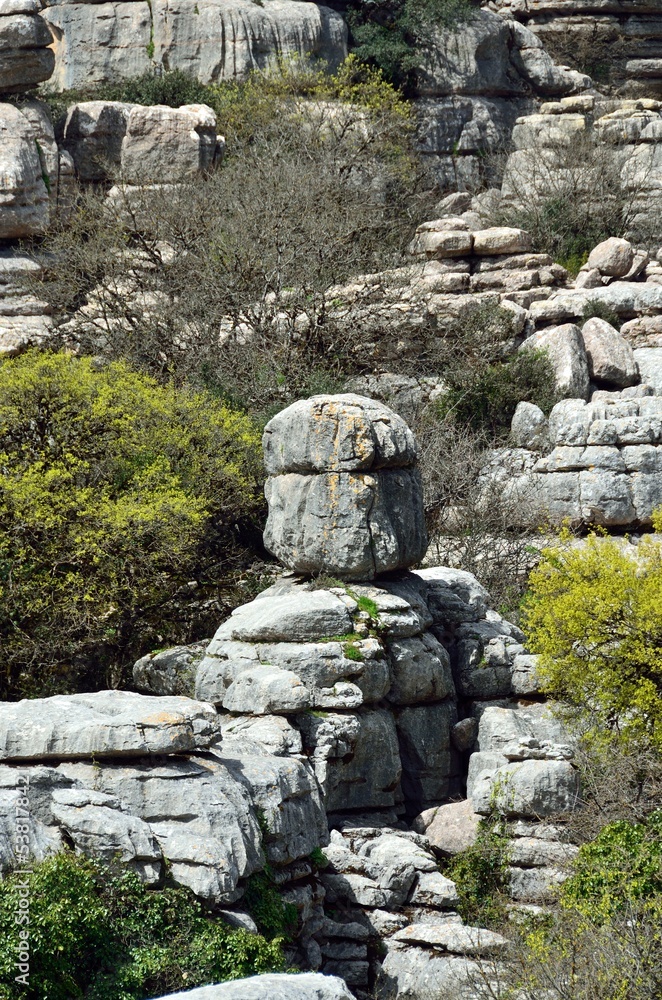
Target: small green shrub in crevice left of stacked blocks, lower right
[480, 873]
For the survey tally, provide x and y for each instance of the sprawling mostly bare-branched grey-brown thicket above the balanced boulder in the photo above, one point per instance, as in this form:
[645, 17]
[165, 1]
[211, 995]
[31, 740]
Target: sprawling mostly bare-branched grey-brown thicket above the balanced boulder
[320, 184]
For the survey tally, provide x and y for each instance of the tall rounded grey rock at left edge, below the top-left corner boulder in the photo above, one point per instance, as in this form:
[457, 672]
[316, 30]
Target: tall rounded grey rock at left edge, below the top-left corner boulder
[24, 201]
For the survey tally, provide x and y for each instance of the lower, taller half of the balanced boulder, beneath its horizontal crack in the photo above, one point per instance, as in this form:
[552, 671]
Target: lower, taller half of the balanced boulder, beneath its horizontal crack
[351, 525]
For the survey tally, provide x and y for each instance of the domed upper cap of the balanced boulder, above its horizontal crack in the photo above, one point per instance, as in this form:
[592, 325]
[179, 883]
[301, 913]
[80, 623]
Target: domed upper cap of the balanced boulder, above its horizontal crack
[342, 433]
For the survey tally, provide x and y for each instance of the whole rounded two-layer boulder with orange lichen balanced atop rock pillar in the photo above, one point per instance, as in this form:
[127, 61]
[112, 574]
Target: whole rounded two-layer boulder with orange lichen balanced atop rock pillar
[344, 493]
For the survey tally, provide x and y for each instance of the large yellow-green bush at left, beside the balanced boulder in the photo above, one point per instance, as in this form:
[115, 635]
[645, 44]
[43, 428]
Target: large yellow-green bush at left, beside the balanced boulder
[115, 492]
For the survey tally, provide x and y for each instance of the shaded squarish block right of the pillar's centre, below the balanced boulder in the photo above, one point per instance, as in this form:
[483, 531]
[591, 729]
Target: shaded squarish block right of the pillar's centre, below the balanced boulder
[420, 670]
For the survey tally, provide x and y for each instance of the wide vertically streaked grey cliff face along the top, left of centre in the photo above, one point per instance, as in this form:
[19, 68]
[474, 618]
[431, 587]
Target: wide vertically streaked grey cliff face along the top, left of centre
[102, 43]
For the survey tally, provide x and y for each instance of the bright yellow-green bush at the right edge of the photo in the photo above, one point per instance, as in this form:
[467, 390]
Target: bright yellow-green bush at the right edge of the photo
[594, 614]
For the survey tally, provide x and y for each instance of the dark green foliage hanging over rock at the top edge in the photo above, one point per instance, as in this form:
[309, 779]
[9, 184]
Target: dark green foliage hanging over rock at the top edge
[395, 34]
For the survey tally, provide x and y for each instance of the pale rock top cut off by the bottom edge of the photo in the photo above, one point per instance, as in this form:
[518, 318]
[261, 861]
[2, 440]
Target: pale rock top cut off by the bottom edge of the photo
[273, 986]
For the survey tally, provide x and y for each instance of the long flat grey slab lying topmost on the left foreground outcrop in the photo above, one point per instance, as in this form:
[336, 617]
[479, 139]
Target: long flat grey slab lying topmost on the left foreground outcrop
[106, 723]
